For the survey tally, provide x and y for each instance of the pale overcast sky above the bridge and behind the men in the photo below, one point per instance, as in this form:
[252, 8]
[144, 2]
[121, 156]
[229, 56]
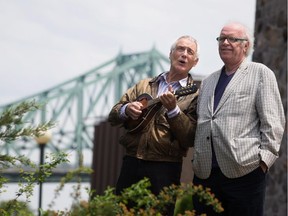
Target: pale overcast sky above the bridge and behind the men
[44, 43]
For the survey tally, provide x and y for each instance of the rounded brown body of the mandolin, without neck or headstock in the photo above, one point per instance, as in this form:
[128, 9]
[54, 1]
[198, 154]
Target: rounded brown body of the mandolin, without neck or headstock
[148, 112]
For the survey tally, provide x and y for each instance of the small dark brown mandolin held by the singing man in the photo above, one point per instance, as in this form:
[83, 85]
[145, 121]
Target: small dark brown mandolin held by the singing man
[150, 108]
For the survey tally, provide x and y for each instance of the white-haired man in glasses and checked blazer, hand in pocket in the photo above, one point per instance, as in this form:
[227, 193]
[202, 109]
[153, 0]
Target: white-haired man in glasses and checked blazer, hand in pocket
[240, 127]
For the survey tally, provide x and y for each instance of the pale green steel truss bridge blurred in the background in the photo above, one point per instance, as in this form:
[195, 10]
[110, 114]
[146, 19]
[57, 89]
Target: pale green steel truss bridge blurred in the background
[79, 104]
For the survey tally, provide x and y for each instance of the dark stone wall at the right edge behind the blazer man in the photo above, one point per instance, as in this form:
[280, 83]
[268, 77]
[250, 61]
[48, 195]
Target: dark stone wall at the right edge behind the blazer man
[271, 49]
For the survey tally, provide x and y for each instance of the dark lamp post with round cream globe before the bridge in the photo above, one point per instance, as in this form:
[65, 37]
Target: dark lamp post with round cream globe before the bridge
[42, 141]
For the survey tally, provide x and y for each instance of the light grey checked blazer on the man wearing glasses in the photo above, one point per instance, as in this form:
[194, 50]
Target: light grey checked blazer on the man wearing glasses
[246, 127]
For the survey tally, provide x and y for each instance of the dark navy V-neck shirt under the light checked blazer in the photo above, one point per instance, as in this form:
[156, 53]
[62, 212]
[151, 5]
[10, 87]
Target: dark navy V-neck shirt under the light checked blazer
[223, 81]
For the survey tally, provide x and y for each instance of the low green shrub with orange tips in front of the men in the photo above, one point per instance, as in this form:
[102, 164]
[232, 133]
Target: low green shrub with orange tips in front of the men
[142, 202]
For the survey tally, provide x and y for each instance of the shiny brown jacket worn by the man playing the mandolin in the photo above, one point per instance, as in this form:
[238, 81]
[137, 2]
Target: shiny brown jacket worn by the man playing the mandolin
[163, 139]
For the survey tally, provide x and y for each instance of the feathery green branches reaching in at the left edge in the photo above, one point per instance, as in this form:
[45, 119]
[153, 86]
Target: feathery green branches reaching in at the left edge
[13, 127]
